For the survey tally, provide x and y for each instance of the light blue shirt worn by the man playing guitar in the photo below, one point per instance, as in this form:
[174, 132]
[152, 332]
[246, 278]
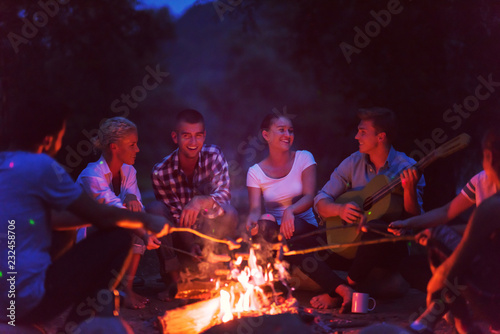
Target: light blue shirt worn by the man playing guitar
[357, 170]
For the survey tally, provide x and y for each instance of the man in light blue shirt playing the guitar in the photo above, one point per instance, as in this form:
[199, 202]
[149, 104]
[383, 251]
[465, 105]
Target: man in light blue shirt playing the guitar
[376, 156]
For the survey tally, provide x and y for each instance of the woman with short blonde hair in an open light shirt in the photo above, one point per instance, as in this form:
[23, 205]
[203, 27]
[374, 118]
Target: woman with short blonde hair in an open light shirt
[112, 180]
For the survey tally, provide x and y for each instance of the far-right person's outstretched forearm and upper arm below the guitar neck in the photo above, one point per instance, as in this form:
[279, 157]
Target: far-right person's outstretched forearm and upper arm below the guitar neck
[438, 216]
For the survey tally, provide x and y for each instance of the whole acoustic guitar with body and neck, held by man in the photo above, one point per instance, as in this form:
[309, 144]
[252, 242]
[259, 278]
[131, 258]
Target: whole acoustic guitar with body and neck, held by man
[381, 199]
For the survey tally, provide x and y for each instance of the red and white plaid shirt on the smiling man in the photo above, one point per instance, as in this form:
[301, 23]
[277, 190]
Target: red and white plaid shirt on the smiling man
[211, 177]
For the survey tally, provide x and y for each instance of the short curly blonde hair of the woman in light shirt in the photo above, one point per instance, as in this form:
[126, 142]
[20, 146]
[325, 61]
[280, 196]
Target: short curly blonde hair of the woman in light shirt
[111, 131]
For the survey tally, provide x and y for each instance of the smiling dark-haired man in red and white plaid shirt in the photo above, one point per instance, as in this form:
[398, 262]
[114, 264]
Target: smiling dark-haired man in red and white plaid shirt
[192, 188]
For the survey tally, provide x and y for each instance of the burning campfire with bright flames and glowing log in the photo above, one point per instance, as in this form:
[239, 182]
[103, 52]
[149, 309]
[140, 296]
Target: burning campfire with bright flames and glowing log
[247, 290]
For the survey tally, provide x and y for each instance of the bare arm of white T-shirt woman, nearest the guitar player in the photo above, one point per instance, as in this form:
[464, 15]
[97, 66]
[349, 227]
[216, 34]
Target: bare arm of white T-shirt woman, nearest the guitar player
[304, 203]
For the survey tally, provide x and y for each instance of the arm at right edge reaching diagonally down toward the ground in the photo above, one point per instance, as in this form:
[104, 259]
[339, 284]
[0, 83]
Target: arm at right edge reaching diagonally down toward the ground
[481, 225]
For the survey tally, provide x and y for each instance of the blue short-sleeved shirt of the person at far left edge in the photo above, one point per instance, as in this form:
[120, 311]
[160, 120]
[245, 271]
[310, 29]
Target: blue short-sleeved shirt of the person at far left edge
[30, 186]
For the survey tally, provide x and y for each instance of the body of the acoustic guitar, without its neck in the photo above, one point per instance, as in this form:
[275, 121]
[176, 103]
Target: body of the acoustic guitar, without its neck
[388, 208]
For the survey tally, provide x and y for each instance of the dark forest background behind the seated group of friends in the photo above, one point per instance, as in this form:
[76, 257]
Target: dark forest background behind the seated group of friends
[435, 63]
